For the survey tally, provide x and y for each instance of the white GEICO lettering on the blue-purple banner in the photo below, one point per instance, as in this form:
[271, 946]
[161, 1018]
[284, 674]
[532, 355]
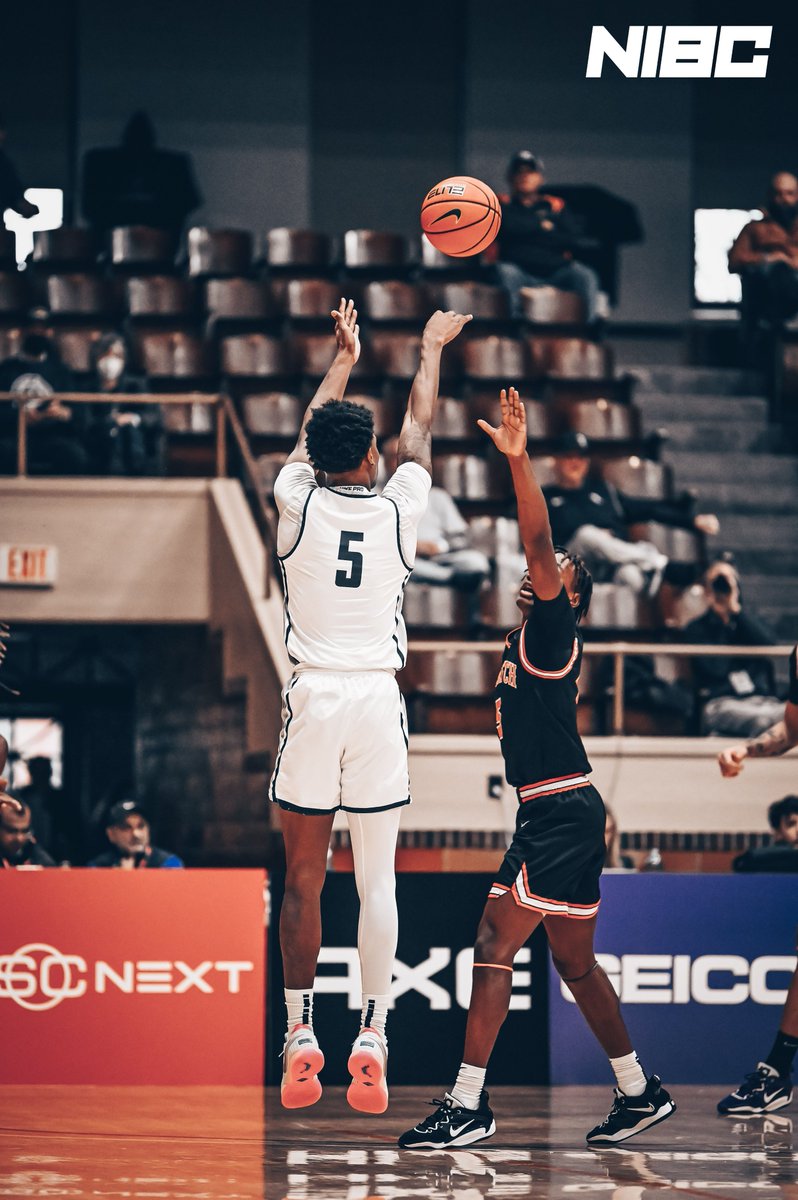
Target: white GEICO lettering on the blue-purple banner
[707, 980]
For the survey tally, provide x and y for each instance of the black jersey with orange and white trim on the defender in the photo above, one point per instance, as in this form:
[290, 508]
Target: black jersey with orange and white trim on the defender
[536, 701]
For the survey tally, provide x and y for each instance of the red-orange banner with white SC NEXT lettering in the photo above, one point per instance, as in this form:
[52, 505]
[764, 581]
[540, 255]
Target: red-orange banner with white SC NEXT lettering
[141, 977]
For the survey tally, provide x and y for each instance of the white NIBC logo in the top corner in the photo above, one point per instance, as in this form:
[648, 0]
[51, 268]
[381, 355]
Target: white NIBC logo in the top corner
[683, 52]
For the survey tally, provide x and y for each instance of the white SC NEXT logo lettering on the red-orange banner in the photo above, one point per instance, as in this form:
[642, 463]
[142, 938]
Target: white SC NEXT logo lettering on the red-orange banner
[39, 977]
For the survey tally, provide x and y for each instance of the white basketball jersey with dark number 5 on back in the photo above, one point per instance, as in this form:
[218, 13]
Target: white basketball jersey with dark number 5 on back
[346, 556]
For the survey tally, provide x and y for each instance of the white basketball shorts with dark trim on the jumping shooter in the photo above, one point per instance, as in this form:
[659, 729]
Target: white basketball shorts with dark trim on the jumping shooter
[344, 743]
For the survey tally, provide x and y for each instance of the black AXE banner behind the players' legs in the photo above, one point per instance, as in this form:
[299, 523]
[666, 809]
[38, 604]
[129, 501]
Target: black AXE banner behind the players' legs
[431, 988]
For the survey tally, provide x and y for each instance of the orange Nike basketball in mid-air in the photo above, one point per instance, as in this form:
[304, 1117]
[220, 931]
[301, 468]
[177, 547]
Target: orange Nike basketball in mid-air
[461, 217]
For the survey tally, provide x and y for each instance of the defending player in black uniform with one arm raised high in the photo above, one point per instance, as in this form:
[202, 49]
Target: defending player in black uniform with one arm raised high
[551, 871]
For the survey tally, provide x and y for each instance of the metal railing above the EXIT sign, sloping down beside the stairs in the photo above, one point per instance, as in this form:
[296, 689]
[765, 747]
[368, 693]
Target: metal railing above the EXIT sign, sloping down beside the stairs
[225, 419]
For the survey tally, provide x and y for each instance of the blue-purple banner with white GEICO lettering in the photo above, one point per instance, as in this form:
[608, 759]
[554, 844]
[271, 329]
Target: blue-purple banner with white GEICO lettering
[701, 963]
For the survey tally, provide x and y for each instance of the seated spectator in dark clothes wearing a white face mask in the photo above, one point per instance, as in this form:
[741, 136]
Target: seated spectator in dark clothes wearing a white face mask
[124, 440]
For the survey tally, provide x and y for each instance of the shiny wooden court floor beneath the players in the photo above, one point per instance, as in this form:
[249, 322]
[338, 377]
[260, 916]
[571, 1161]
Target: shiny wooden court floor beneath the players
[230, 1144]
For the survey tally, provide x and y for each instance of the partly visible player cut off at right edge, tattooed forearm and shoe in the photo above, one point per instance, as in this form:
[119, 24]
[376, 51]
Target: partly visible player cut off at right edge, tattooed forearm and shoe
[770, 1087]
